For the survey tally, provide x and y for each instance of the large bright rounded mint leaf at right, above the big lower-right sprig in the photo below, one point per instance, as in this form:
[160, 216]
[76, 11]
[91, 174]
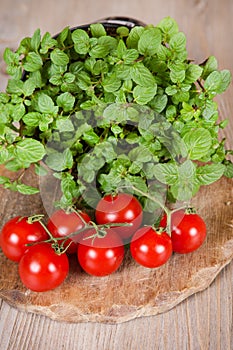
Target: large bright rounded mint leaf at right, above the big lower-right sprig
[198, 142]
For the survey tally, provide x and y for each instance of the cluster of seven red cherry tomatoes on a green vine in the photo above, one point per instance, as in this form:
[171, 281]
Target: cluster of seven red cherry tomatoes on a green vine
[42, 251]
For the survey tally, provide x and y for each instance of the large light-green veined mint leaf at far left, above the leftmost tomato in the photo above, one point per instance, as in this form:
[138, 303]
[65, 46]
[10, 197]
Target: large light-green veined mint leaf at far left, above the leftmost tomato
[29, 151]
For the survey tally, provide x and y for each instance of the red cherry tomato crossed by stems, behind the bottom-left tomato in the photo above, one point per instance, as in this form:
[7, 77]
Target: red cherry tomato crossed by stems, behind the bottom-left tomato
[61, 224]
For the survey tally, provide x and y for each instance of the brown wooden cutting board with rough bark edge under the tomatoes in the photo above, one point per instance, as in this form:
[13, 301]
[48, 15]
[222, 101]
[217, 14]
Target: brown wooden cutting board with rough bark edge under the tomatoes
[133, 291]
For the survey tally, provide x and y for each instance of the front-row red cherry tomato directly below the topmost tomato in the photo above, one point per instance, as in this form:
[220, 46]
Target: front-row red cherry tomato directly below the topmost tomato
[100, 256]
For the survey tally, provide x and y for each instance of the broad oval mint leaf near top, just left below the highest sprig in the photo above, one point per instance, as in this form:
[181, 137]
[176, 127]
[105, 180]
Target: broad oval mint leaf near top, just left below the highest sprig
[149, 42]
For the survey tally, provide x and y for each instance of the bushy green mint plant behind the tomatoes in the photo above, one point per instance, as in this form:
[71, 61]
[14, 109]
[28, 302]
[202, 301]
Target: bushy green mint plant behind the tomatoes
[105, 111]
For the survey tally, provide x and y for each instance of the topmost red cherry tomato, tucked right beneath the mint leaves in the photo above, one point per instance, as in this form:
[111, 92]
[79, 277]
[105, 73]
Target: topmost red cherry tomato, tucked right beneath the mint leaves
[122, 208]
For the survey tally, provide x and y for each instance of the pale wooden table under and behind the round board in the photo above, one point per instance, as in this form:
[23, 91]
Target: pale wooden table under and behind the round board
[204, 320]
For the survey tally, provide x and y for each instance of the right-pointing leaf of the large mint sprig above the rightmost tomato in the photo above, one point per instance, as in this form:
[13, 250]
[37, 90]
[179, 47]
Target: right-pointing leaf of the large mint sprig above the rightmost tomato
[209, 173]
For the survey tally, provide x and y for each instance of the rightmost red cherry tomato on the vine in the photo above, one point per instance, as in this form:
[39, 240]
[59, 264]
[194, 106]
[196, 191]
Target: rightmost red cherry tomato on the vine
[188, 231]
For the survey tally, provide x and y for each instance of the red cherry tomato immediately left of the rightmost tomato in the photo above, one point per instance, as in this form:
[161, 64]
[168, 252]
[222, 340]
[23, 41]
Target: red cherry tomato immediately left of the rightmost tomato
[150, 248]
